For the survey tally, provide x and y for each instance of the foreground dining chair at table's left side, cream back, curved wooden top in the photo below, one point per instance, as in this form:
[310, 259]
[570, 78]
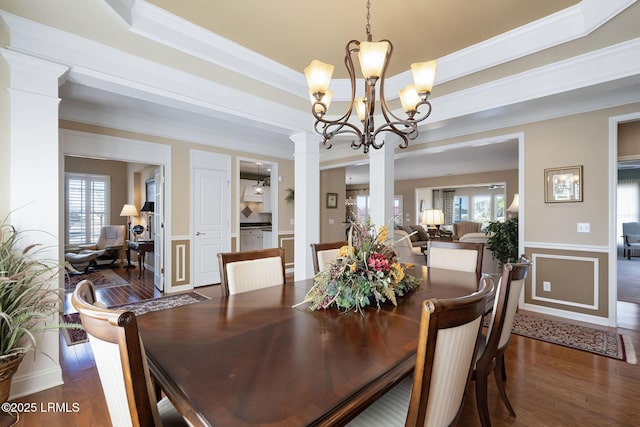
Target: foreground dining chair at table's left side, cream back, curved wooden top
[122, 365]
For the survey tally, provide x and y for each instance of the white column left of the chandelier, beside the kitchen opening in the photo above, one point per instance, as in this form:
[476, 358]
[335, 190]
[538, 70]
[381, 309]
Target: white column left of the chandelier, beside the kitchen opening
[307, 202]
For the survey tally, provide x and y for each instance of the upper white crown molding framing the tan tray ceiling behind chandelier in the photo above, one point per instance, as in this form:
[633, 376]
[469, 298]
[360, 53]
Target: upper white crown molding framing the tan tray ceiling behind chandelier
[572, 23]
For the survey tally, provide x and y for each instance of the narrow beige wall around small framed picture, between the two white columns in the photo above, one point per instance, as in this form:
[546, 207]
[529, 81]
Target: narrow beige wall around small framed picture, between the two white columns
[332, 181]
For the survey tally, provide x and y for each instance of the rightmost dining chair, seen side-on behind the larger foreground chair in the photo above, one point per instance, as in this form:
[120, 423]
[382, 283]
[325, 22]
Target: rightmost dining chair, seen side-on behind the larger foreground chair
[492, 347]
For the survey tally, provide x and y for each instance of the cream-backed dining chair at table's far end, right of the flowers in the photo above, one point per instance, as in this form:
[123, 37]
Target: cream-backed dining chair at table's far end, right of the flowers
[460, 256]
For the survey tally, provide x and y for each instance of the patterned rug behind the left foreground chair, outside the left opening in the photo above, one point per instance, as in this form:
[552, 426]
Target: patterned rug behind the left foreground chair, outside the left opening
[76, 336]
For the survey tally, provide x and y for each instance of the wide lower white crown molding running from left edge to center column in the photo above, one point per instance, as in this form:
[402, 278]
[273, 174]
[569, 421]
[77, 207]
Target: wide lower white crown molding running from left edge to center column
[110, 69]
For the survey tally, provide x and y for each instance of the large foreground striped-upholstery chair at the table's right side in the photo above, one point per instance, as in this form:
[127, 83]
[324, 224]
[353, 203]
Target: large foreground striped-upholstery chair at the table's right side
[447, 346]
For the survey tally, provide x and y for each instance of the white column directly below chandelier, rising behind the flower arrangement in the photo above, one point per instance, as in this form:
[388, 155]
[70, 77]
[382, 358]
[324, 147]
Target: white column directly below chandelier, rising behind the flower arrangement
[381, 174]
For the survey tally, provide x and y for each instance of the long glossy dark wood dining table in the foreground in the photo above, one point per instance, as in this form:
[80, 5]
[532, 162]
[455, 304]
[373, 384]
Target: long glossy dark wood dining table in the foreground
[252, 359]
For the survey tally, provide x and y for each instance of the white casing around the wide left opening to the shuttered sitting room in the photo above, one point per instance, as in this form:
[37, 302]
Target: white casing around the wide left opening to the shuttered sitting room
[107, 147]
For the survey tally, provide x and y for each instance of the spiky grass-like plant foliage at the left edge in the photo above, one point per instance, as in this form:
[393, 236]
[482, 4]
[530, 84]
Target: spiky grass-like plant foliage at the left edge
[28, 302]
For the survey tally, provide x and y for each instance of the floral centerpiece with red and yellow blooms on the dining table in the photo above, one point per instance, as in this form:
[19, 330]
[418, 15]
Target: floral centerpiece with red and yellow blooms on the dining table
[366, 272]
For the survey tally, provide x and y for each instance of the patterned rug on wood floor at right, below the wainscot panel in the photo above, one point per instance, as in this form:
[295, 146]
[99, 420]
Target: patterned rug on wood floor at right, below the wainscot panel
[604, 343]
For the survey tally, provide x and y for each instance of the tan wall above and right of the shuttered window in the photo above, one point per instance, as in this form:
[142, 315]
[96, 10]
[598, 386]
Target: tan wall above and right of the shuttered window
[117, 172]
